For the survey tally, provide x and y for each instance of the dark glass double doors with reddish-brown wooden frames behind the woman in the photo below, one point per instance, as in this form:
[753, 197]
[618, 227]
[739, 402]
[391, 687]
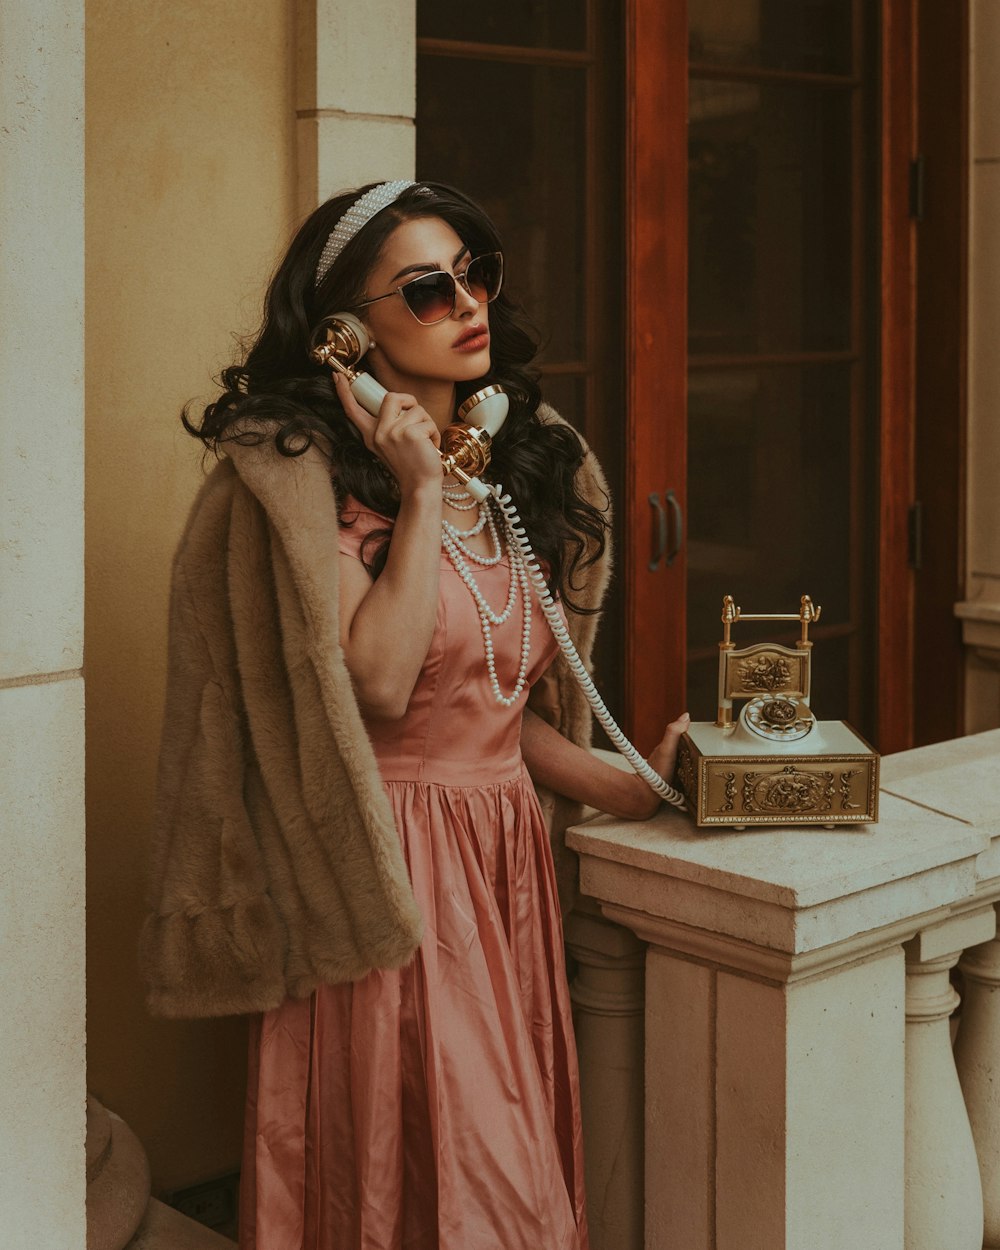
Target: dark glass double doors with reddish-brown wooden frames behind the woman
[707, 207]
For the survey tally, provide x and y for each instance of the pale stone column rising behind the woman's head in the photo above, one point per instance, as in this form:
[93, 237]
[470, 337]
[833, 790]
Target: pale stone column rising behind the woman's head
[357, 94]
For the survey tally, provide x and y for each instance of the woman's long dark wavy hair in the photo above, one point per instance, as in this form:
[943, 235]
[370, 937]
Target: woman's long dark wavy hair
[279, 383]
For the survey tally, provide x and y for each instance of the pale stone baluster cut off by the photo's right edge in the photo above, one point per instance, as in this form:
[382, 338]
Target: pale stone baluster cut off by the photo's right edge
[978, 1062]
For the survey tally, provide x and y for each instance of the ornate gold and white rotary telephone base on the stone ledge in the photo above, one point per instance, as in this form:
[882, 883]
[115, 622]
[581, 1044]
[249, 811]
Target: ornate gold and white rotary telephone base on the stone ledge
[777, 764]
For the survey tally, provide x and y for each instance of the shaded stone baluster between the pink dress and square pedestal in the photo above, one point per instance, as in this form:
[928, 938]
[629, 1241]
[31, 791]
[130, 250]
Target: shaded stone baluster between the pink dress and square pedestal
[608, 1012]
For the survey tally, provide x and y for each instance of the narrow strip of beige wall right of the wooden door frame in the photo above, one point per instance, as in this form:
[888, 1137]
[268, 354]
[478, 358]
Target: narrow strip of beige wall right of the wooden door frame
[982, 609]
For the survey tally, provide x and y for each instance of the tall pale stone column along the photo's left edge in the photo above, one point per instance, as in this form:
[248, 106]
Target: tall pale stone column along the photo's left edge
[43, 1094]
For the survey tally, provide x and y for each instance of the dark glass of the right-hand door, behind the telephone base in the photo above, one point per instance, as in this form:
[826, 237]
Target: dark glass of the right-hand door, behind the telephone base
[782, 423]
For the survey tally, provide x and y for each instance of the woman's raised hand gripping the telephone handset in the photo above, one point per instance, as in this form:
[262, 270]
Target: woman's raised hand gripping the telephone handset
[403, 437]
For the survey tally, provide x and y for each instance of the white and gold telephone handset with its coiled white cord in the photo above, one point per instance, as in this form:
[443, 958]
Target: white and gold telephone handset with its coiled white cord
[341, 342]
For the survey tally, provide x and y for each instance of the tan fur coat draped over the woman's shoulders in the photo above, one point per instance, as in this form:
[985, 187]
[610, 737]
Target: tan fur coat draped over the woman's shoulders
[276, 864]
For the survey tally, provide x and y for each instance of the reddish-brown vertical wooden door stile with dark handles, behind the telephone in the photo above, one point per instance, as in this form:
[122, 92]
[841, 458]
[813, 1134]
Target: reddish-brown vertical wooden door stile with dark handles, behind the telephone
[657, 358]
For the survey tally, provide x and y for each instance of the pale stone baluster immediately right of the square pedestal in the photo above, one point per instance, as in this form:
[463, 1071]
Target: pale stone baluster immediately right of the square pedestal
[944, 1194]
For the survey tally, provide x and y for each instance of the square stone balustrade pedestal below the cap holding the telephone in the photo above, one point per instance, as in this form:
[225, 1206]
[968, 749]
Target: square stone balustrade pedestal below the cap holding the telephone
[756, 1082]
